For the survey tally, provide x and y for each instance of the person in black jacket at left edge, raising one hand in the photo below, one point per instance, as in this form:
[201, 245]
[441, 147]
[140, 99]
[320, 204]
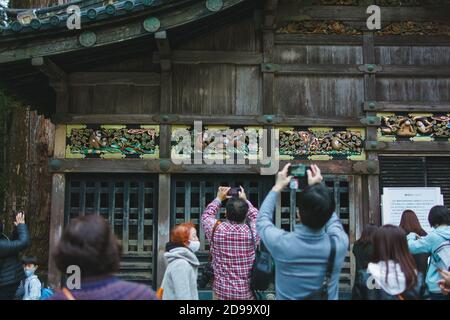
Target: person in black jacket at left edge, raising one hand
[11, 270]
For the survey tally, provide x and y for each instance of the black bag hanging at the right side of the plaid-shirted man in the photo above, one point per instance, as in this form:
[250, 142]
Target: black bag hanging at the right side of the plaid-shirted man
[262, 274]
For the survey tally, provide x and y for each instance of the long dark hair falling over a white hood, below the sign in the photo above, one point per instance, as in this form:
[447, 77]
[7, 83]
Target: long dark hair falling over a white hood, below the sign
[389, 243]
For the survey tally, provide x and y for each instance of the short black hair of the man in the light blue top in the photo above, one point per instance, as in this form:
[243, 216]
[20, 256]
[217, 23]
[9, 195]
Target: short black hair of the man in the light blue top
[316, 205]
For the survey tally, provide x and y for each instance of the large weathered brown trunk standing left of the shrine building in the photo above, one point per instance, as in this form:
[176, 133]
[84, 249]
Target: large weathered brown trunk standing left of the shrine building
[29, 143]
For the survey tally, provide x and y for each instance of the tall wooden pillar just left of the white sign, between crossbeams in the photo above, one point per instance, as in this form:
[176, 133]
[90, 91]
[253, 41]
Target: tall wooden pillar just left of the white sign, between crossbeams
[373, 188]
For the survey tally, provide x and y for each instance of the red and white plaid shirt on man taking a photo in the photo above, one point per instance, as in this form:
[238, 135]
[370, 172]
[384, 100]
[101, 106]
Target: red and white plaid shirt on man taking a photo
[233, 253]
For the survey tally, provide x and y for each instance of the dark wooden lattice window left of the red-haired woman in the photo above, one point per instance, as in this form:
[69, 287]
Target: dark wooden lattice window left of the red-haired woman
[129, 203]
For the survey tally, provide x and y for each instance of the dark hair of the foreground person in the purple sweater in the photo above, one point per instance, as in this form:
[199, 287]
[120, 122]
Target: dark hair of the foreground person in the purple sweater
[89, 243]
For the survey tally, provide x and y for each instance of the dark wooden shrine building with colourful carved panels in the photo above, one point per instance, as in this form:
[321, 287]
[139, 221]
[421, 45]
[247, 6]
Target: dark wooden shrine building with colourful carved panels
[372, 108]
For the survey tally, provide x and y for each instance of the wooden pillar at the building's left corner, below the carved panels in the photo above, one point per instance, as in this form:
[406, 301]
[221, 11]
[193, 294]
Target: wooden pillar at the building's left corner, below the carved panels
[56, 226]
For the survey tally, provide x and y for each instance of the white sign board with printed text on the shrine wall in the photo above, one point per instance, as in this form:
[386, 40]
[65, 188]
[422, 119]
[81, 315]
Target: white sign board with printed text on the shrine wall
[420, 200]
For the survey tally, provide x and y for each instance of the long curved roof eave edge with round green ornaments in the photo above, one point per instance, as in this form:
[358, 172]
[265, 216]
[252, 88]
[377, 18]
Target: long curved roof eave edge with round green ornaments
[110, 31]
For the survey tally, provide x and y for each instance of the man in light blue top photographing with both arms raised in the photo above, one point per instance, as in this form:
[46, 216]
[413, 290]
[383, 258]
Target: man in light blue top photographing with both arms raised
[301, 256]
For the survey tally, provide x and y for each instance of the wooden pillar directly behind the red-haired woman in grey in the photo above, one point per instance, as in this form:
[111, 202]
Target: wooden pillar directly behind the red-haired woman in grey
[163, 224]
